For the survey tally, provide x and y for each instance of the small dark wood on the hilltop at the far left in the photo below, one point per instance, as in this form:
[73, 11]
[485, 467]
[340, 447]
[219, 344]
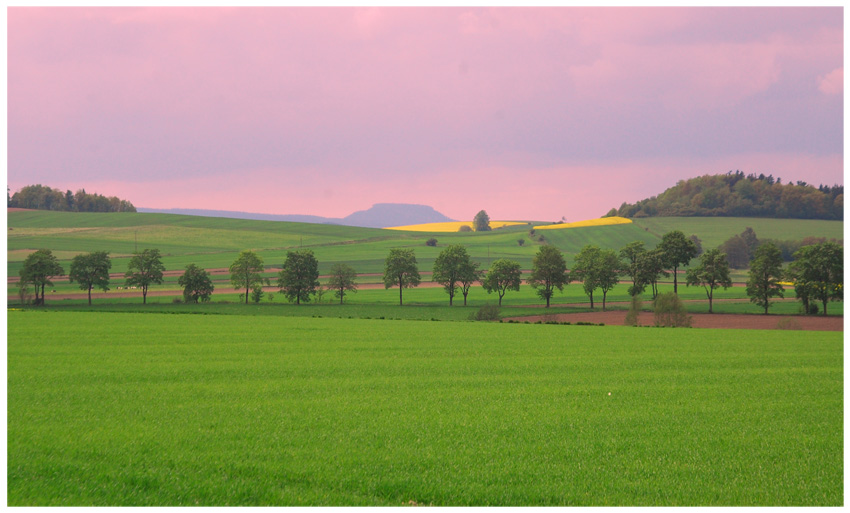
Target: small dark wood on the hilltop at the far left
[40, 197]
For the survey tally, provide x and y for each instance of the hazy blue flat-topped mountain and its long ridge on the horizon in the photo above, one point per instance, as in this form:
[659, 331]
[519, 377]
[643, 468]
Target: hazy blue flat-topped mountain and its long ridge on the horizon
[381, 215]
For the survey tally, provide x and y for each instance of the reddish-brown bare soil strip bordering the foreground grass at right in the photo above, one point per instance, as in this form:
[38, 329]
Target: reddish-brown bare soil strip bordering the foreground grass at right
[728, 321]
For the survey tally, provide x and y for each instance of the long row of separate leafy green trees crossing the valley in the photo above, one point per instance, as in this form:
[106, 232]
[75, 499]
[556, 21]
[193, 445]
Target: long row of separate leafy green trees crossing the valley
[817, 273]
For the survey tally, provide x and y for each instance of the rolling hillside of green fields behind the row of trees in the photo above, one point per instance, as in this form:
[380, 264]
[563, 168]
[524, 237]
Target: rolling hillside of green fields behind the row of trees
[215, 242]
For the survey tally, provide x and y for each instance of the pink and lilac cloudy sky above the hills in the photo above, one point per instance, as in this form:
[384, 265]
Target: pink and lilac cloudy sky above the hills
[528, 113]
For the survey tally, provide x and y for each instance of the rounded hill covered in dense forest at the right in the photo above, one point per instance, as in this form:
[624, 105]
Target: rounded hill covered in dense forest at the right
[739, 195]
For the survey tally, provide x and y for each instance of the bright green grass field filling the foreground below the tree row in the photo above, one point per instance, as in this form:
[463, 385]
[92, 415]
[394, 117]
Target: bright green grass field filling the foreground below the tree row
[152, 409]
